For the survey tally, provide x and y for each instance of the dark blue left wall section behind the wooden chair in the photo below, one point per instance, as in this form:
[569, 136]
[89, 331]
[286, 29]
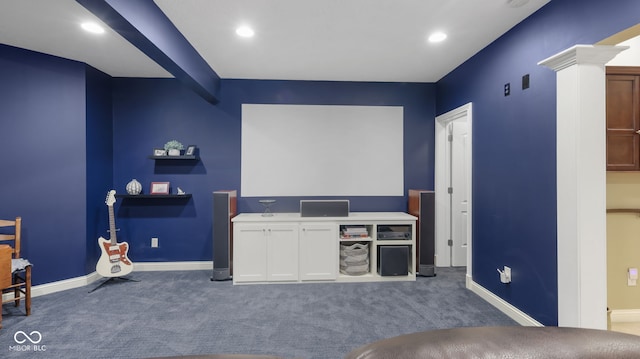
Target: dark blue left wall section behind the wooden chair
[42, 112]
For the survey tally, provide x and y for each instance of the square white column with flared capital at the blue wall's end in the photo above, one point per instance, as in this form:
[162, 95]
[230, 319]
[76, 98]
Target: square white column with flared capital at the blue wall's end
[581, 184]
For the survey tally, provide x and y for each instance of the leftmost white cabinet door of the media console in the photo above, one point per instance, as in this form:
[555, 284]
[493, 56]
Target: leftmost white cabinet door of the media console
[249, 253]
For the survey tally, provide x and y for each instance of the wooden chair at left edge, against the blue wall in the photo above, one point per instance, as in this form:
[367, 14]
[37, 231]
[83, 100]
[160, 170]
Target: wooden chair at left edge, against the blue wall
[17, 282]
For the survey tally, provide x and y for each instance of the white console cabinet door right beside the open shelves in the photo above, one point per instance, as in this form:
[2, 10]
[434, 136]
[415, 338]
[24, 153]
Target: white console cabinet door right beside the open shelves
[318, 252]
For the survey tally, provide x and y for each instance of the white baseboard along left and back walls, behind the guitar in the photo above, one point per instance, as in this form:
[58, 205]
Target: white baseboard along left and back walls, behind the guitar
[53, 287]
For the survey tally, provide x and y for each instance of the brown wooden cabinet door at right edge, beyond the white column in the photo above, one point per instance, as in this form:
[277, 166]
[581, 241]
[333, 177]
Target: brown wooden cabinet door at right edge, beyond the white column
[623, 120]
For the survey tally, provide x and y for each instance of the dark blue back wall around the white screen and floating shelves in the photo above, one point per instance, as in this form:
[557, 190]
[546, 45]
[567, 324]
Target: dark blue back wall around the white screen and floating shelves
[149, 112]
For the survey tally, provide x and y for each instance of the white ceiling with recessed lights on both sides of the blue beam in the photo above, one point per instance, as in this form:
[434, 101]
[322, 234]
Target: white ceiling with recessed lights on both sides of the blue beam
[342, 40]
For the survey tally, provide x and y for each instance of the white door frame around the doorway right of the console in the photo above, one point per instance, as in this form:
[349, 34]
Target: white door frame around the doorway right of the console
[442, 210]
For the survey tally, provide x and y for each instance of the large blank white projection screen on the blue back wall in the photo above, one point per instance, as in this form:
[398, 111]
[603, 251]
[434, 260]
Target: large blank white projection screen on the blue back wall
[321, 150]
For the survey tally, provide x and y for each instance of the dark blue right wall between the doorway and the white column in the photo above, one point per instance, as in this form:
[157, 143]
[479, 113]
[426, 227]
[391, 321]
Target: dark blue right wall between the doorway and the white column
[514, 156]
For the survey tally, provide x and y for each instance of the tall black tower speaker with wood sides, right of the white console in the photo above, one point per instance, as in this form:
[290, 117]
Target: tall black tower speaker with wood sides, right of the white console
[422, 205]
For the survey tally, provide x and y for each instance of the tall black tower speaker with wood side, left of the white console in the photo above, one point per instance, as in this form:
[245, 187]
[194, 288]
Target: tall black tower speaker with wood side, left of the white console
[224, 208]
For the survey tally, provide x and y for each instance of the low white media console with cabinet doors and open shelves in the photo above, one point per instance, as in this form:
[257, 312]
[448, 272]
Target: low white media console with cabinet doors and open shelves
[286, 247]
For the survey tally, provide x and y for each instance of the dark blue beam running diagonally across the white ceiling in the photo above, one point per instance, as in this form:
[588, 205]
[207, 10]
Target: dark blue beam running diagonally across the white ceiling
[143, 24]
